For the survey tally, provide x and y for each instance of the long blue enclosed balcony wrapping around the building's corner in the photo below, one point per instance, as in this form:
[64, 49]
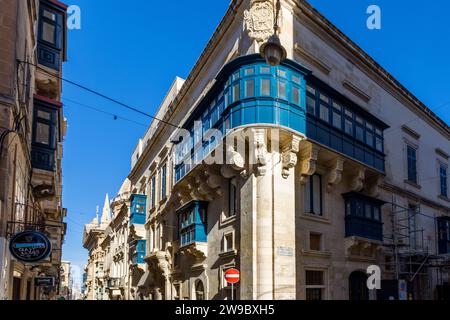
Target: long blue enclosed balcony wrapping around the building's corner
[233, 102]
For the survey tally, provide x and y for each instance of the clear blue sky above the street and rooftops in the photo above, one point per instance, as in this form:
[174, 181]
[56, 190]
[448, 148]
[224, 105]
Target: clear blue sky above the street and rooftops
[133, 53]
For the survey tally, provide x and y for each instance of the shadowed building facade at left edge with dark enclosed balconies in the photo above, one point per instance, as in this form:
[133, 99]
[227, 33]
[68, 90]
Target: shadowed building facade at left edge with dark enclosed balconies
[32, 128]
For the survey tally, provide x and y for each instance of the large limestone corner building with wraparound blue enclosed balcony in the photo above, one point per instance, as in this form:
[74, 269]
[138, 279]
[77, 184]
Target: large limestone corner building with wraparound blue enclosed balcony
[349, 170]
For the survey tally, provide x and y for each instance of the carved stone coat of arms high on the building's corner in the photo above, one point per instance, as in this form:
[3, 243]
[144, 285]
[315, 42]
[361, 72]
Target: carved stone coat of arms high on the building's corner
[259, 20]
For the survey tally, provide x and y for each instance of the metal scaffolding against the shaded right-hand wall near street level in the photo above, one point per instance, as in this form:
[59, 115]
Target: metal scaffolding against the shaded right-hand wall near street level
[413, 258]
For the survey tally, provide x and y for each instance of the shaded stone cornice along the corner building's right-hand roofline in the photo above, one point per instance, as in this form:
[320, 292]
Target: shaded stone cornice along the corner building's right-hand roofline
[368, 65]
